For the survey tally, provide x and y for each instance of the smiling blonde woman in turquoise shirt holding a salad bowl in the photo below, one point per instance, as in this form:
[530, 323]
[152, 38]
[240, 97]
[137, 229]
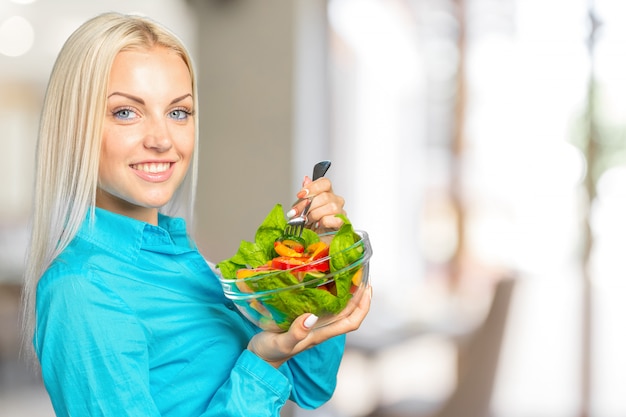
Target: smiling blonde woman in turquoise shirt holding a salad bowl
[127, 317]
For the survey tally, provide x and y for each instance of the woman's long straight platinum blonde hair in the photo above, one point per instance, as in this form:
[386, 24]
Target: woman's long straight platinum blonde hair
[70, 133]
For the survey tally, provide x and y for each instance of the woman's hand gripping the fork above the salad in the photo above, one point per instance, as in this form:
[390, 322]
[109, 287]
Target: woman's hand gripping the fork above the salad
[324, 206]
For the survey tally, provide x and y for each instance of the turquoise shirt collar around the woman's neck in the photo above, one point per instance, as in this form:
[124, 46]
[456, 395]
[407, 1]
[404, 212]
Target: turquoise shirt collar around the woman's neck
[128, 237]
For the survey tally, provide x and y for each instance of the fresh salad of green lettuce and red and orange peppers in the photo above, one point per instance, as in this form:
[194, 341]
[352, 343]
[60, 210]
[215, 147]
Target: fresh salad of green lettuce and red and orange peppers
[319, 272]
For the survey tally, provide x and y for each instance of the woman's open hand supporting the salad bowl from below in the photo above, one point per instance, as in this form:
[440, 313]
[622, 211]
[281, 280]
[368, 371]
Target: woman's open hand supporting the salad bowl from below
[277, 348]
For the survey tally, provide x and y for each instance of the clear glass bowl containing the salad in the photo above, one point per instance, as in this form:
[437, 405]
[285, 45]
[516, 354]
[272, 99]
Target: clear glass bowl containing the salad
[273, 300]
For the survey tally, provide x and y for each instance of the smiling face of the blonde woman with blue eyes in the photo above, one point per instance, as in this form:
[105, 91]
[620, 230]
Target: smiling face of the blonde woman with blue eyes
[148, 138]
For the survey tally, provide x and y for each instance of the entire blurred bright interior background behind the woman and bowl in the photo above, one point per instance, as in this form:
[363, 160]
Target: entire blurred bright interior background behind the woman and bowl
[479, 142]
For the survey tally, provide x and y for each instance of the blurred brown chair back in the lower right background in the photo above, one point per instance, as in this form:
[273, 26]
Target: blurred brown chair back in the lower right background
[478, 360]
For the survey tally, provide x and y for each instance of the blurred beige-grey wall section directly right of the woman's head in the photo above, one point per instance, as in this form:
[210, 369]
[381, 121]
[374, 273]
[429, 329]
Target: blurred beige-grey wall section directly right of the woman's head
[253, 106]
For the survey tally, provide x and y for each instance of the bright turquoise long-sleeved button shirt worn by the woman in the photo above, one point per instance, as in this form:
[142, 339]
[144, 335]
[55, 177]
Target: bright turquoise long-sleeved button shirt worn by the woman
[132, 321]
